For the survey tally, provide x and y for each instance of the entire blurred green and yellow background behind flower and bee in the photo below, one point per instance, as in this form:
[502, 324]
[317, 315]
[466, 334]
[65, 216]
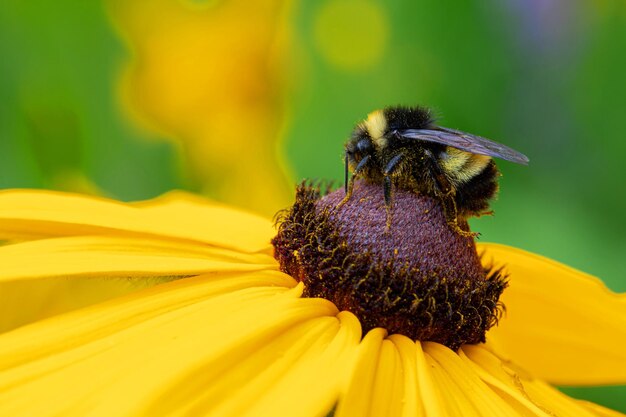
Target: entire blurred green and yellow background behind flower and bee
[241, 100]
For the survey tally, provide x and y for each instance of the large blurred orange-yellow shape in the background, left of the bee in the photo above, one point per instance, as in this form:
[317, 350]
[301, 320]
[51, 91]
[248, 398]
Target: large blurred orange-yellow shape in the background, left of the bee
[210, 77]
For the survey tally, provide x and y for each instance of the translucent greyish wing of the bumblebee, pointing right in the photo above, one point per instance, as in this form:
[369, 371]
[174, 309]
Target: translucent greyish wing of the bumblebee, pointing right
[465, 142]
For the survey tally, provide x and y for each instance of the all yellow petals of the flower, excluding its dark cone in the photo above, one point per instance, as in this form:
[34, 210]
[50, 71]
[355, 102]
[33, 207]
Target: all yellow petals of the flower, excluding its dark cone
[235, 337]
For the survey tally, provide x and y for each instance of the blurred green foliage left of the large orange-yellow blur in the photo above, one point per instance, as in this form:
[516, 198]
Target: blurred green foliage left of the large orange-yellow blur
[59, 119]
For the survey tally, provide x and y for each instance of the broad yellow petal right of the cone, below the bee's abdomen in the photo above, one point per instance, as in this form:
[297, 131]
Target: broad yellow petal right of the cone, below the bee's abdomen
[562, 325]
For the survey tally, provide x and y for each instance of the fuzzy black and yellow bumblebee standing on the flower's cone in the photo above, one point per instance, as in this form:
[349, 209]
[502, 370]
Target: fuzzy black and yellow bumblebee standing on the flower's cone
[403, 147]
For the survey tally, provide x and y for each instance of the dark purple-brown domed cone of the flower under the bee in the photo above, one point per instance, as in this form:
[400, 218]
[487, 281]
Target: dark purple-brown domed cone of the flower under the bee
[417, 277]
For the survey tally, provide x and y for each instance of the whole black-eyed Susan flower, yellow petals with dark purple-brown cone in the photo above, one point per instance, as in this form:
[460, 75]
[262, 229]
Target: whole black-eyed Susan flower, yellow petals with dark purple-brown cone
[235, 336]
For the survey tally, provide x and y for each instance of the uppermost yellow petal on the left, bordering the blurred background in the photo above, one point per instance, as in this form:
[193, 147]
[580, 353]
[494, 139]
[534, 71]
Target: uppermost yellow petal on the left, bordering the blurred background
[28, 214]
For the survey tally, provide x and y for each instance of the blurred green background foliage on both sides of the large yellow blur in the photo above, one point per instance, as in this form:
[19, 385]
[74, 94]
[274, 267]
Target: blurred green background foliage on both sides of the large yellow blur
[546, 78]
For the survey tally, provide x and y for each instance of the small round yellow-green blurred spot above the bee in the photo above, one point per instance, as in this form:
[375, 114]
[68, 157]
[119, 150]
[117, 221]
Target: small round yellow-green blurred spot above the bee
[351, 34]
